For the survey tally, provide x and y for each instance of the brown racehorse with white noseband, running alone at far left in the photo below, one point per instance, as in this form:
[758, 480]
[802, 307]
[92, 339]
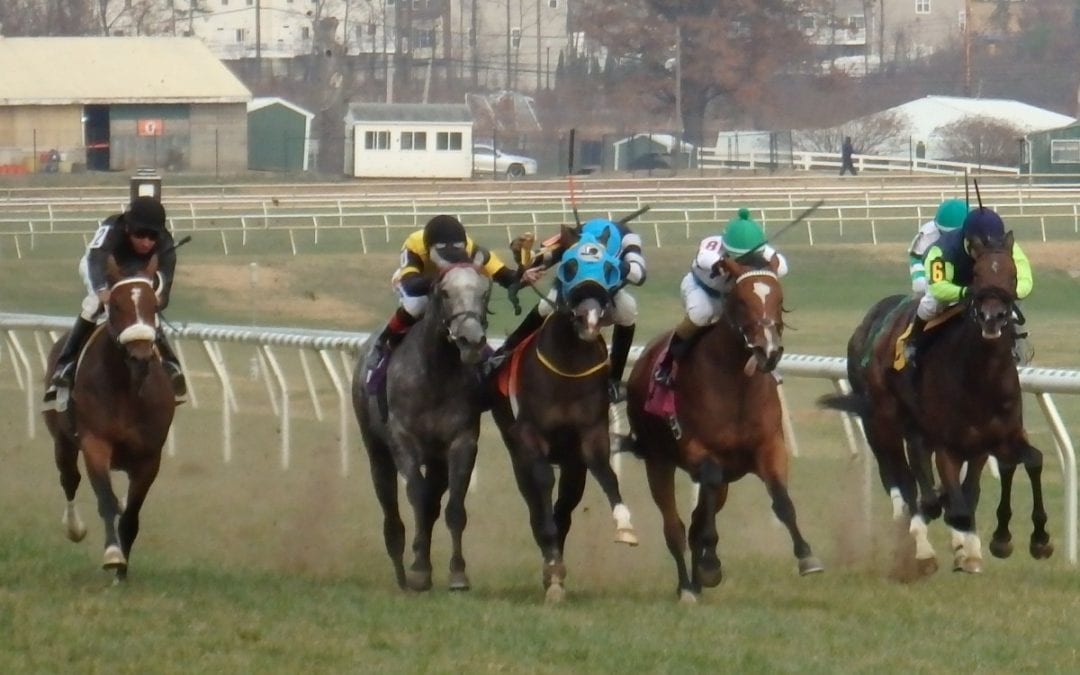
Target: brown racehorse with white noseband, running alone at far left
[123, 409]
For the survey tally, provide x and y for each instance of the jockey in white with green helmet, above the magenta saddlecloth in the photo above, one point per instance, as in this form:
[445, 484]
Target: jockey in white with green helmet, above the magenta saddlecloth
[706, 286]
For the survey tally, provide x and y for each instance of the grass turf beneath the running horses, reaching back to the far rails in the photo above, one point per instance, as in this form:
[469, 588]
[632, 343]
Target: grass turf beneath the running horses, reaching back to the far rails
[245, 568]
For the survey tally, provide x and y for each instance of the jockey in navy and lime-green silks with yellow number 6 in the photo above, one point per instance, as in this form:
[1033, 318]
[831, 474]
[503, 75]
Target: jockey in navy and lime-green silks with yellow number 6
[951, 273]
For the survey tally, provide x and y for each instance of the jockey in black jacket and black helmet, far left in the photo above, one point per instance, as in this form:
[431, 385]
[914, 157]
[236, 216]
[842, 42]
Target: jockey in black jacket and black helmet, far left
[130, 238]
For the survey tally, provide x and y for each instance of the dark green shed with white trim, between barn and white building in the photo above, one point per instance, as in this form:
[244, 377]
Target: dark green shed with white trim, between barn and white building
[279, 136]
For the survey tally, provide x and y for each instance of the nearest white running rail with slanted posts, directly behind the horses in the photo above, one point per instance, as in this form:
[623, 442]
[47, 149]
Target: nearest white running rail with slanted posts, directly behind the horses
[336, 353]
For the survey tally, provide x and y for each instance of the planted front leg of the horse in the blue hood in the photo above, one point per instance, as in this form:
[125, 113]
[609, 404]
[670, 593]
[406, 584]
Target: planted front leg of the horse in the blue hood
[536, 479]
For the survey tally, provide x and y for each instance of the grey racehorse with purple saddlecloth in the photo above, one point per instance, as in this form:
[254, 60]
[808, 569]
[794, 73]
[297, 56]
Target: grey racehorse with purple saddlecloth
[428, 425]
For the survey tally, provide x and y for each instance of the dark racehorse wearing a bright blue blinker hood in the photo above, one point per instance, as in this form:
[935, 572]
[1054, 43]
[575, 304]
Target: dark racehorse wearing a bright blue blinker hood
[552, 408]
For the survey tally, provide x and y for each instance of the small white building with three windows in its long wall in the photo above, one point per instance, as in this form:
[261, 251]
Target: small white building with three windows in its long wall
[409, 141]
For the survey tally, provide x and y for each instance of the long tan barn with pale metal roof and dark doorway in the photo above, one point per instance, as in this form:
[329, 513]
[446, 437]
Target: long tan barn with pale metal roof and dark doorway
[116, 104]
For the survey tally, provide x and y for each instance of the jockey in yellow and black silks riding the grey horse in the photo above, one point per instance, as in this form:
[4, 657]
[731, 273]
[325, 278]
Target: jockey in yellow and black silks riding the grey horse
[442, 241]
